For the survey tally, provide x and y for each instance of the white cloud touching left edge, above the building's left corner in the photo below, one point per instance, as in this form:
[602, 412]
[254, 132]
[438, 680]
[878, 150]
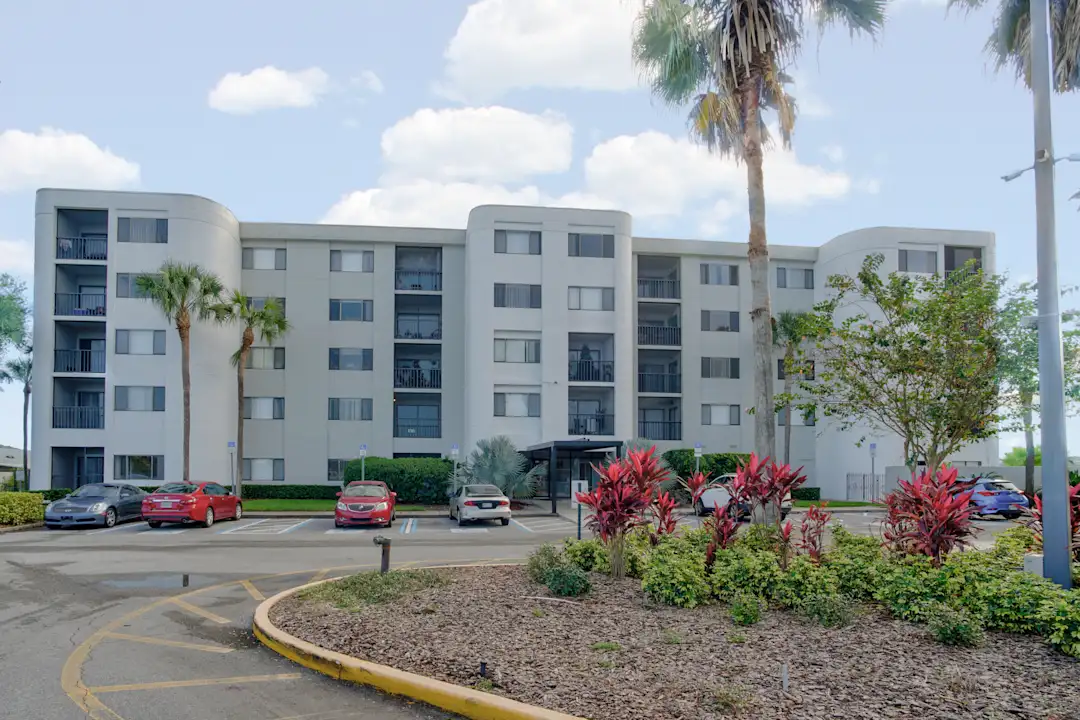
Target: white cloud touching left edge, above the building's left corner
[60, 159]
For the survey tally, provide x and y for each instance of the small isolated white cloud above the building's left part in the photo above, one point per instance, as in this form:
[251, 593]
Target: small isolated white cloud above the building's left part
[268, 89]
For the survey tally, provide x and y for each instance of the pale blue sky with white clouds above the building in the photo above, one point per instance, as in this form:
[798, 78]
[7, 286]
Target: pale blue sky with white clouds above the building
[356, 113]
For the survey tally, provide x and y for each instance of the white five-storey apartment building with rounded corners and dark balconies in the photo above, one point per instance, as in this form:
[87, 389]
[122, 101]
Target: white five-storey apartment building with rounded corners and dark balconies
[538, 323]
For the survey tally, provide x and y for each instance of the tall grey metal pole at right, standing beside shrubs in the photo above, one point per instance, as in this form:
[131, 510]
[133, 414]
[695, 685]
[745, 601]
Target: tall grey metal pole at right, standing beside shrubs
[1056, 509]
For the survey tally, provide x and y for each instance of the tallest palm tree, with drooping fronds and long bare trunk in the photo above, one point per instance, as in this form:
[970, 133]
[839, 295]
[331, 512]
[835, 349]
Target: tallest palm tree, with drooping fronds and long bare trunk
[727, 60]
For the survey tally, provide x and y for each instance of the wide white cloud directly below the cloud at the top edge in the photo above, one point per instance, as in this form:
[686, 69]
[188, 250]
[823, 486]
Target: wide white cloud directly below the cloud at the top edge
[482, 145]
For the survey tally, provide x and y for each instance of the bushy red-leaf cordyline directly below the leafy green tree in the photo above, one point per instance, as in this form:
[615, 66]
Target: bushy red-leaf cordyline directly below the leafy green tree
[930, 515]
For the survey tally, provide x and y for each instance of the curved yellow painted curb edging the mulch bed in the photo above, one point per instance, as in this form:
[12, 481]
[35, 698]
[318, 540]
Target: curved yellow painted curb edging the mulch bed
[445, 696]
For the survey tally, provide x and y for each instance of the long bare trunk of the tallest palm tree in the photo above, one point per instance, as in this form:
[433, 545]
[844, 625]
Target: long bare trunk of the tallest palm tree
[765, 417]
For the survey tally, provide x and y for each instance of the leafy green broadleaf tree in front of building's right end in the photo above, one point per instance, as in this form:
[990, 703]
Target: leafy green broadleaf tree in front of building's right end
[916, 357]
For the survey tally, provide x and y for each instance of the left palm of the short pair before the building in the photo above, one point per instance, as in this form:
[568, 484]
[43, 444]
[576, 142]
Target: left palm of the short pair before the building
[184, 293]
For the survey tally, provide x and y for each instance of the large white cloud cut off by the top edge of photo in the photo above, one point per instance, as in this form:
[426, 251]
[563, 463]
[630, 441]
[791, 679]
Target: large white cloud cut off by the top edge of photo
[507, 45]
